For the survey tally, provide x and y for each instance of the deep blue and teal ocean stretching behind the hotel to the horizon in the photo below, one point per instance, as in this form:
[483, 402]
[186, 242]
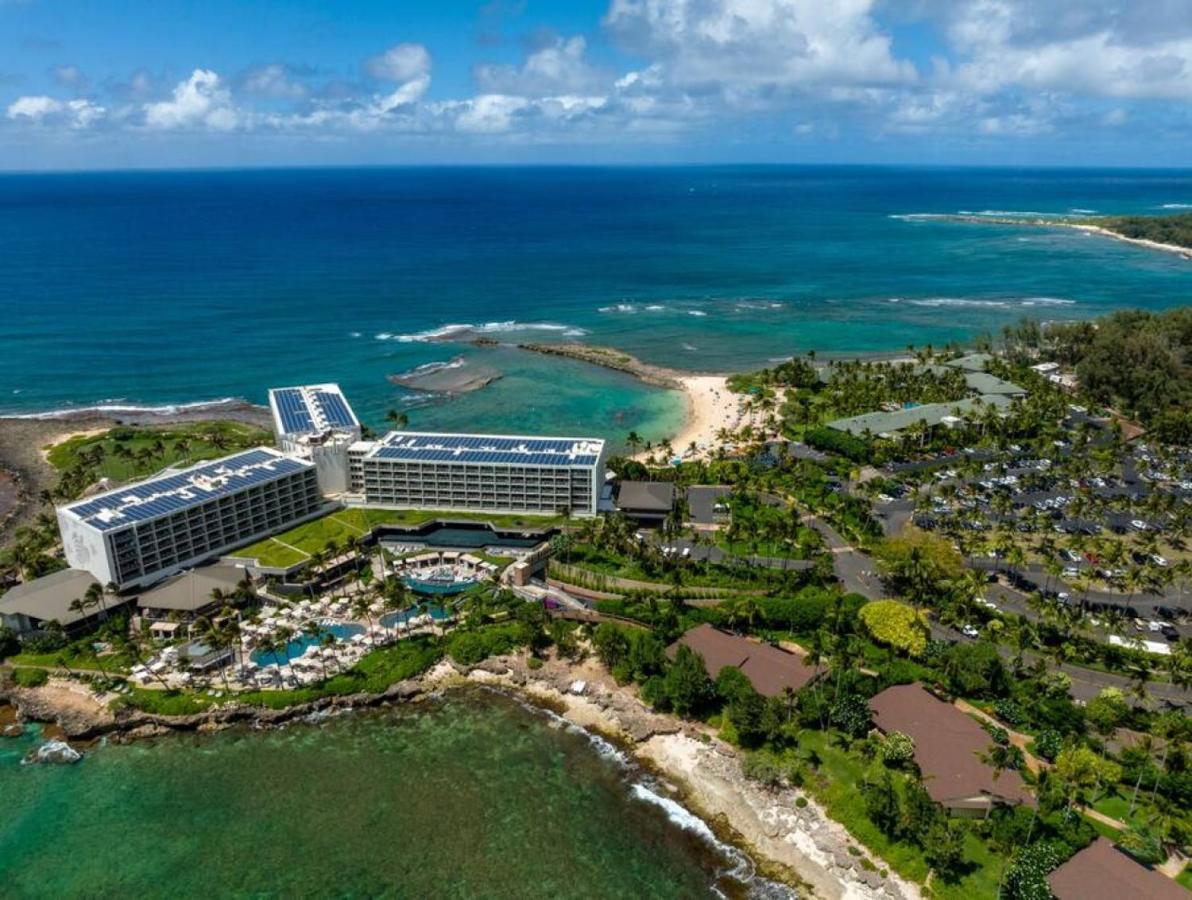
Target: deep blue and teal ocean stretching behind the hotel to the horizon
[169, 288]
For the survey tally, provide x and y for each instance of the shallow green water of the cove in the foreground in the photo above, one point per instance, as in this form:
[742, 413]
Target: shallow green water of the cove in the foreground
[470, 798]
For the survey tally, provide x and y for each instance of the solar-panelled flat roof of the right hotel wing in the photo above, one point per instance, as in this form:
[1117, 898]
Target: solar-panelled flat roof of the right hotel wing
[488, 449]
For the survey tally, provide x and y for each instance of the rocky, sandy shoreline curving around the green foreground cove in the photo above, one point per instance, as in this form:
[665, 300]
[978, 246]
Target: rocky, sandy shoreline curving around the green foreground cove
[802, 848]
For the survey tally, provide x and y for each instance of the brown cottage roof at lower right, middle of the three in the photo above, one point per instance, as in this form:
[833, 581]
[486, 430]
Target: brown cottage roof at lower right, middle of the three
[948, 746]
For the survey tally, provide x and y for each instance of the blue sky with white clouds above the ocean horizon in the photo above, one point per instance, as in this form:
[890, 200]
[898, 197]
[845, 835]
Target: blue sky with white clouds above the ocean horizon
[169, 84]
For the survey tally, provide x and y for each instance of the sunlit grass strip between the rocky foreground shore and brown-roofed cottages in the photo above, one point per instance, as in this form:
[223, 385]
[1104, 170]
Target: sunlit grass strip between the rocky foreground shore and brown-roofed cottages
[836, 790]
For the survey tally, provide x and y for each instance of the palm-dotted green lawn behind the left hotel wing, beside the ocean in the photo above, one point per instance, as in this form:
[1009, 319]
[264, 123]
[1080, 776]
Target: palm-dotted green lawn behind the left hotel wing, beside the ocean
[181, 445]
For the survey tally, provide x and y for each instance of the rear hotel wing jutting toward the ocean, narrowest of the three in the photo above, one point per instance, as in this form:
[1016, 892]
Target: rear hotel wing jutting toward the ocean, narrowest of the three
[316, 423]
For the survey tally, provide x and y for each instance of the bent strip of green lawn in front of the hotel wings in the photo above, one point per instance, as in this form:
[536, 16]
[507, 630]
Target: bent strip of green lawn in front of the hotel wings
[342, 526]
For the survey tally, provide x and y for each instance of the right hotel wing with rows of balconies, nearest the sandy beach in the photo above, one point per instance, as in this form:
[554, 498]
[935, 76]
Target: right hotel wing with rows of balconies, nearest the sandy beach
[479, 473]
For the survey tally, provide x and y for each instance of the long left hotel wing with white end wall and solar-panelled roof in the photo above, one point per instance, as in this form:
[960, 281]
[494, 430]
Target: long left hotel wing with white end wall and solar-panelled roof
[144, 532]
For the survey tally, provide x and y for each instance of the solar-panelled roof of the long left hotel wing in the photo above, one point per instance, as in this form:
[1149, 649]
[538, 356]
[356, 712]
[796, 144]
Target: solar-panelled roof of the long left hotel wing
[179, 489]
